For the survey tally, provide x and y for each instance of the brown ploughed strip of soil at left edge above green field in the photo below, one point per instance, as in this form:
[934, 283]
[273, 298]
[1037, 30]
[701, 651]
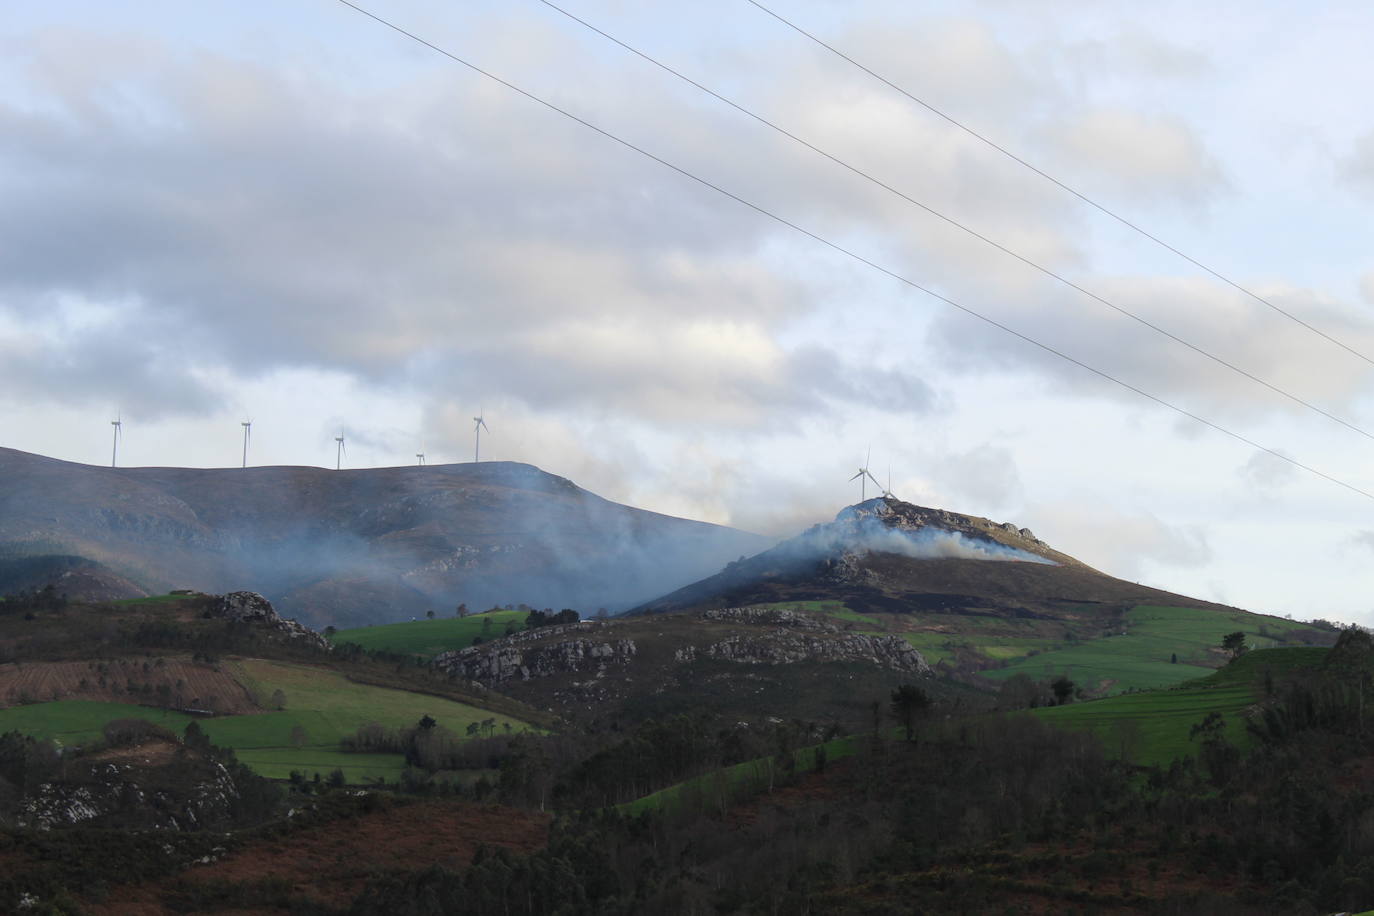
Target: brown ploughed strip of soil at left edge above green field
[171, 682]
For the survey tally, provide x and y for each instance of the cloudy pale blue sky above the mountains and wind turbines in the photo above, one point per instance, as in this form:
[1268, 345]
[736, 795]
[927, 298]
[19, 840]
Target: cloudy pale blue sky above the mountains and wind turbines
[292, 215]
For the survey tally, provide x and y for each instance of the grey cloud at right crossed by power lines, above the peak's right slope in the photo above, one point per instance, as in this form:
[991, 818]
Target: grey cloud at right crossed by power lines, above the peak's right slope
[1219, 321]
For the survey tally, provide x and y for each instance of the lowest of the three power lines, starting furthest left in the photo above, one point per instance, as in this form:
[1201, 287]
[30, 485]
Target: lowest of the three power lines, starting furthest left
[853, 255]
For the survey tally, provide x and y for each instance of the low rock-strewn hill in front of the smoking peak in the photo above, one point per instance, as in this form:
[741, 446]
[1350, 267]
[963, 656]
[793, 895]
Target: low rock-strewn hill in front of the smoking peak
[741, 663]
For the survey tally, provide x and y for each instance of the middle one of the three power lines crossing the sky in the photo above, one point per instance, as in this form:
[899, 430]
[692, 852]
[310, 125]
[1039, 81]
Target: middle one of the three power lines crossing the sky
[965, 229]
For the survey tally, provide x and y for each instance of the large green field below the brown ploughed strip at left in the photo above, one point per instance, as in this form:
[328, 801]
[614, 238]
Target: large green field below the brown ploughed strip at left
[324, 704]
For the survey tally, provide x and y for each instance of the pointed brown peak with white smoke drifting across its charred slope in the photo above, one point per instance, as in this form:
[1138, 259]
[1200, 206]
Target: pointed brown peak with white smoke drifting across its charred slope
[887, 557]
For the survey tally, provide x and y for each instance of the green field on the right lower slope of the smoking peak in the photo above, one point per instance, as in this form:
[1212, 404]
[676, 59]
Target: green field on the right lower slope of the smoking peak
[1140, 659]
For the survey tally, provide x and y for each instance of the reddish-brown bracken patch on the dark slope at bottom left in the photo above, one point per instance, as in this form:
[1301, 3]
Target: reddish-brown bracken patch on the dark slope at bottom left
[332, 863]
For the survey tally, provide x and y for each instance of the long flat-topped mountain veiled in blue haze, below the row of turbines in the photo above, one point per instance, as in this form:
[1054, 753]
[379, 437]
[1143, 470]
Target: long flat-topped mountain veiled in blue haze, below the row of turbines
[354, 547]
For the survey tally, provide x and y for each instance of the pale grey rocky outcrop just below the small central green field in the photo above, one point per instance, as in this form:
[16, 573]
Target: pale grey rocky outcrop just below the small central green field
[517, 659]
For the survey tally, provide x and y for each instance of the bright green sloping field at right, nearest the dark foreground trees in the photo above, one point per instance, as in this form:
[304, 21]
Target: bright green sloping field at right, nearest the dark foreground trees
[1153, 727]
